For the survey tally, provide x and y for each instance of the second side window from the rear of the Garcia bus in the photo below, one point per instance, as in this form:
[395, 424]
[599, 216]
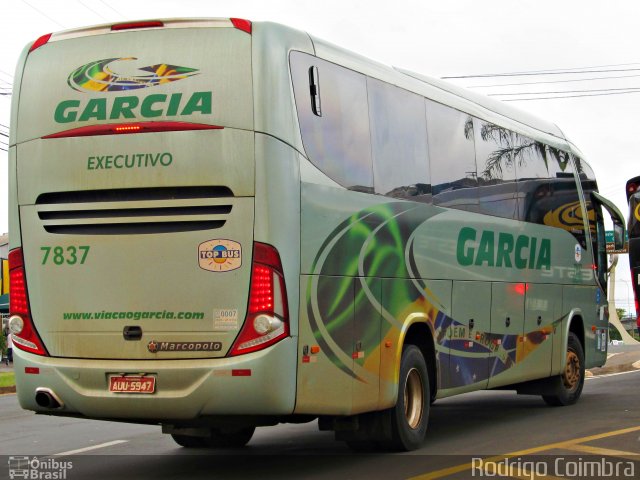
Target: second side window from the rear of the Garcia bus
[399, 142]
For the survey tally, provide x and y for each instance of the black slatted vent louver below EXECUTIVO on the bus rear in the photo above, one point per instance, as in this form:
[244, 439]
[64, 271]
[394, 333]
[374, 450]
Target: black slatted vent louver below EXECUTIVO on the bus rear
[135, 210]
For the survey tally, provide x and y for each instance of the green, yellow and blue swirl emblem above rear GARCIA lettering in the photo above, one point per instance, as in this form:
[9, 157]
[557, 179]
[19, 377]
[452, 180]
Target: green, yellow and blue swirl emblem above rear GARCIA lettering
[98, 76]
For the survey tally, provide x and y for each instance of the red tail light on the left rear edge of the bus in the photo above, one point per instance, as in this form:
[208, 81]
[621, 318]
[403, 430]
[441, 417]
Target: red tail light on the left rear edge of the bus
[25, 336]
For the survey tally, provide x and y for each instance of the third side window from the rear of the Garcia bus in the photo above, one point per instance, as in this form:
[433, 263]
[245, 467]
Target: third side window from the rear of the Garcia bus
[454, 177]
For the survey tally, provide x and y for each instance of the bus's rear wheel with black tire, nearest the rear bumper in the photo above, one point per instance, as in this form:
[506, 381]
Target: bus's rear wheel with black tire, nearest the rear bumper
[410, 415]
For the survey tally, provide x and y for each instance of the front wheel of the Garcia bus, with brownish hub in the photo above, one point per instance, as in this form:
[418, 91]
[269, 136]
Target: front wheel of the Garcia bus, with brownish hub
[567, 387]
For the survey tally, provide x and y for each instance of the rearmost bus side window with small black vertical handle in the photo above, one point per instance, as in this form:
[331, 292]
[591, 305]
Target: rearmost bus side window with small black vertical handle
[336, 138]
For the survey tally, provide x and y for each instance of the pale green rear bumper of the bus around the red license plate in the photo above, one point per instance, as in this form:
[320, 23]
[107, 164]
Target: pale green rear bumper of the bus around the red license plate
[259, 383]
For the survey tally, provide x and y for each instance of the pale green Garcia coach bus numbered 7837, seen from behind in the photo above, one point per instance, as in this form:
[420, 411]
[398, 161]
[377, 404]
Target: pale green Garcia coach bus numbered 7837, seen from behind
[219, 224]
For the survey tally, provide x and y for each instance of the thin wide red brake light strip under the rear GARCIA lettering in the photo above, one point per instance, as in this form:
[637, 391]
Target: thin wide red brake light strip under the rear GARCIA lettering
[140, 127]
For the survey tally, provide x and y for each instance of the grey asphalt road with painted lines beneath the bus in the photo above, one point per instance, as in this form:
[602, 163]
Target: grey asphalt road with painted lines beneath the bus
[606, 421]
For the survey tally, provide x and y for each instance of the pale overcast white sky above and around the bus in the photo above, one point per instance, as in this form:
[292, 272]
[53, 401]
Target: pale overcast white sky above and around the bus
[588, 48]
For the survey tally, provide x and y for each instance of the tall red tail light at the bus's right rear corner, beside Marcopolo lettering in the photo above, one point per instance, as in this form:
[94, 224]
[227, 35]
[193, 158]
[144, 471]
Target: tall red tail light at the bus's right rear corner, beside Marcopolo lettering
[267, 320]
